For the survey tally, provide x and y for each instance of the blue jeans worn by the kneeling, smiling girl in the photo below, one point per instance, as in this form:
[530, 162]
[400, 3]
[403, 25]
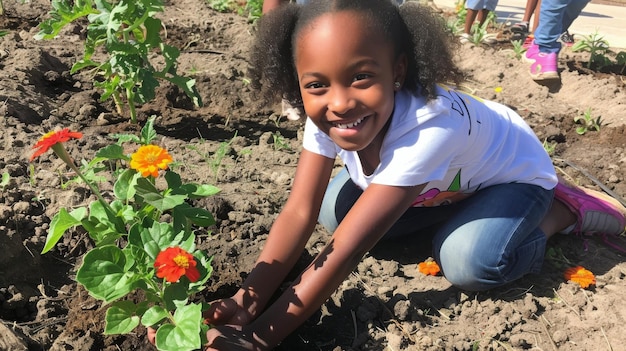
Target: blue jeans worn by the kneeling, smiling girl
[484, 241]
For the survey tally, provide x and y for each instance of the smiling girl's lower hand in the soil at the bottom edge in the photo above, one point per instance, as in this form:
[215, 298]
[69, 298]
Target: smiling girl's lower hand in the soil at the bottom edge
[233, 338]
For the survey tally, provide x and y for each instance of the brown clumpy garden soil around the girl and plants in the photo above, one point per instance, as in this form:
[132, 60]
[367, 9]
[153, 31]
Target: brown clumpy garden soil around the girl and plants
[385, 304]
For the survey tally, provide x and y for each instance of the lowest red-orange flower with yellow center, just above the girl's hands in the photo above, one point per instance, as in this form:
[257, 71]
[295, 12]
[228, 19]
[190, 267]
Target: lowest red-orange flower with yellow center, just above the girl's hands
[174, 262]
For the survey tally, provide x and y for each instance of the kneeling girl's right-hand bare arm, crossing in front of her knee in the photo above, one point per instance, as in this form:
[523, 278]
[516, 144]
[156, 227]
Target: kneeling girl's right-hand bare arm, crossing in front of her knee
[369, 219]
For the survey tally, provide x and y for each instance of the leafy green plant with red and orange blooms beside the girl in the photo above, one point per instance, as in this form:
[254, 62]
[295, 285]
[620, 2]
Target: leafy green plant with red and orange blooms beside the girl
[135, 248]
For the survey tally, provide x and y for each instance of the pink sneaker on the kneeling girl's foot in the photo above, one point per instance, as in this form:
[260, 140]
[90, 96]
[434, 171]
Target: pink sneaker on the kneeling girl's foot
[596, 212]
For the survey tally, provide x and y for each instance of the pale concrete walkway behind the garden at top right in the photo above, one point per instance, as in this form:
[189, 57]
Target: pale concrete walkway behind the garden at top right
[608, 20]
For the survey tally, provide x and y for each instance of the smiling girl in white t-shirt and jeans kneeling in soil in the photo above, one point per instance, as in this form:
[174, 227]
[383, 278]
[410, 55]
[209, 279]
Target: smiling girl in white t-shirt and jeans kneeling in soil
[416, 155]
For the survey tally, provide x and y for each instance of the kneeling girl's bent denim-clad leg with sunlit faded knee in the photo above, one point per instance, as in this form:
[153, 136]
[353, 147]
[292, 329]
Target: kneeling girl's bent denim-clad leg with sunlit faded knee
[491, 240]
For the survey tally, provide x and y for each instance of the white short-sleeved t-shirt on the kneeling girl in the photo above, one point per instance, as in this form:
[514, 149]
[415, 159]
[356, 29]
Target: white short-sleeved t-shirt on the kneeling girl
[456, 145]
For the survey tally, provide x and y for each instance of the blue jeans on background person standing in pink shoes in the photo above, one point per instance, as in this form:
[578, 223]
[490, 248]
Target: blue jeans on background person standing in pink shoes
[555, 17]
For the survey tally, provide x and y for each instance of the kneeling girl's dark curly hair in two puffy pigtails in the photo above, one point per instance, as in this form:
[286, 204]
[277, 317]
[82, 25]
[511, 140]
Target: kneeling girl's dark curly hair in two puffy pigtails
[414, 29]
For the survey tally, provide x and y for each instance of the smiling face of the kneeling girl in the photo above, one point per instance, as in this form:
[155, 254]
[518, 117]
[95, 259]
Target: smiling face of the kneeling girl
[347, 73]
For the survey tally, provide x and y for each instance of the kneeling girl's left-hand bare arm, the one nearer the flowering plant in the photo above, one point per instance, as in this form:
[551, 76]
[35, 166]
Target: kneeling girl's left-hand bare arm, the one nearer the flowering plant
[284, 246]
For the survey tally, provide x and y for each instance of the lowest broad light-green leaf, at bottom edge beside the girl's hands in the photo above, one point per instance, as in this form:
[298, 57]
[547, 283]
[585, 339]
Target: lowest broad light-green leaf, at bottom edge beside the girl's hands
[184, 334]
